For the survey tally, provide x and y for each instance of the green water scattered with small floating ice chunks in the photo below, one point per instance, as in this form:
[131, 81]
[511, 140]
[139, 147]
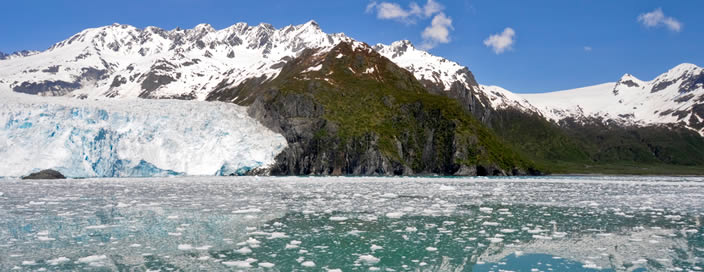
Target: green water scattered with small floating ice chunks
[353, 224]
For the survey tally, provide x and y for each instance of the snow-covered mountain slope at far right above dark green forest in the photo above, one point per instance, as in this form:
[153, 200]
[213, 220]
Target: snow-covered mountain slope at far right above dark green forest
[676, 96]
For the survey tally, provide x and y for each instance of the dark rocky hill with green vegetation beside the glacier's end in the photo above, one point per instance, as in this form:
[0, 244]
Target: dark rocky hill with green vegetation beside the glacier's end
[351, 111]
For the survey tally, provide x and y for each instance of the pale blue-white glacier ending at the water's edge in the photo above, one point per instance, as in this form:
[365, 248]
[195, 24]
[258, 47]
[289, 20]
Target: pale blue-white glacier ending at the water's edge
[131, 137]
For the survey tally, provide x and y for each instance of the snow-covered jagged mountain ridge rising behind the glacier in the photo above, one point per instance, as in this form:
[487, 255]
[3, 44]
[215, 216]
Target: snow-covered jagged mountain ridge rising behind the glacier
[124, 61]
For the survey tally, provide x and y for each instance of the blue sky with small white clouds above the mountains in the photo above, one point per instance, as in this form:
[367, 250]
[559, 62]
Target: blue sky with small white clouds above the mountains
[523, 46]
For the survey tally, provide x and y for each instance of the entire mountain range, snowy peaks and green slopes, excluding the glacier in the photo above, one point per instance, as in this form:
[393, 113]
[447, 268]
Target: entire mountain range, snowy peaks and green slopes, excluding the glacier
[346, 107]
